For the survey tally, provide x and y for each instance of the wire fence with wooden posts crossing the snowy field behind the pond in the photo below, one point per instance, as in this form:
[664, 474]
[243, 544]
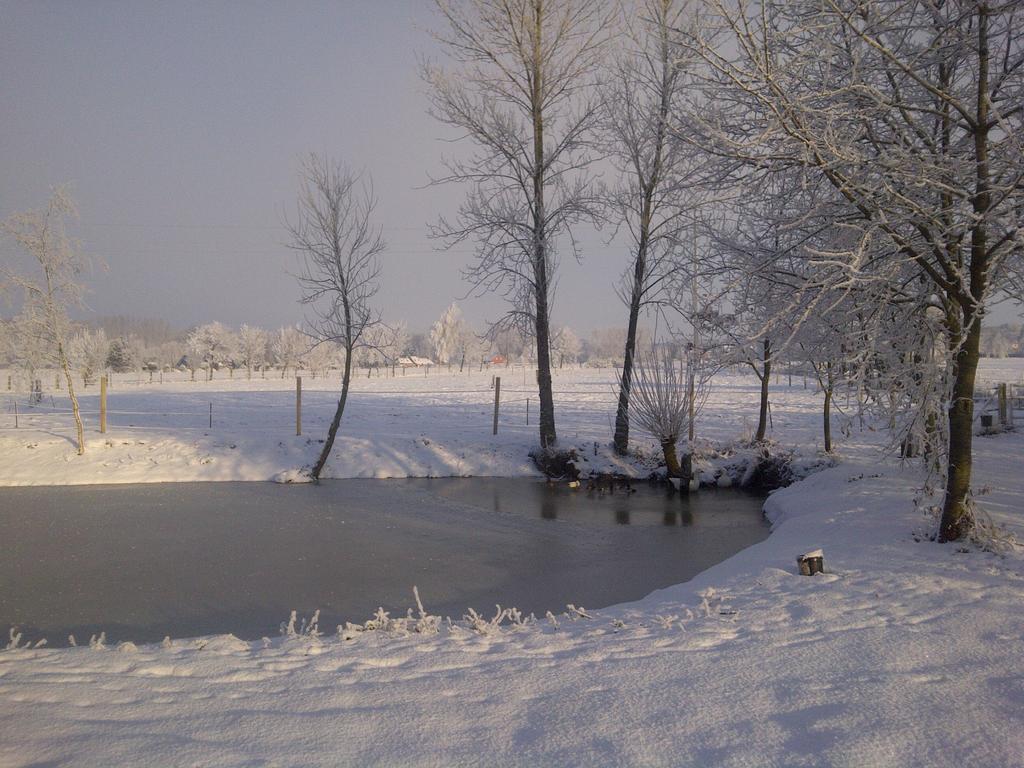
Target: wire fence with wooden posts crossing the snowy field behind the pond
[226, 409]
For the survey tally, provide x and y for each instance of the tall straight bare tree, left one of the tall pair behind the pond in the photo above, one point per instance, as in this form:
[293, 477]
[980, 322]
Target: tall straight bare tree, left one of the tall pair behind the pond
[520, 91]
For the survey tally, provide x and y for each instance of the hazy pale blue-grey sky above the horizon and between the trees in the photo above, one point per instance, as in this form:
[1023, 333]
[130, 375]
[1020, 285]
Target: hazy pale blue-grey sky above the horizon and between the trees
[181, 124]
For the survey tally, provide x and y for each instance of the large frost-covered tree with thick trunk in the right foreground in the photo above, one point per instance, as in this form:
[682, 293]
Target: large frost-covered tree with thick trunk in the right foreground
[912, 113]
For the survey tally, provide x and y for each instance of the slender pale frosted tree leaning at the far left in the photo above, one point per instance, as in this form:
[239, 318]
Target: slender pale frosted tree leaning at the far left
[48, 296]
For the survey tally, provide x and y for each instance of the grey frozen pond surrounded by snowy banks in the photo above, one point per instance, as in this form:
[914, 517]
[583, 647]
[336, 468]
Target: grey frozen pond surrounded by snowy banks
[186, 560]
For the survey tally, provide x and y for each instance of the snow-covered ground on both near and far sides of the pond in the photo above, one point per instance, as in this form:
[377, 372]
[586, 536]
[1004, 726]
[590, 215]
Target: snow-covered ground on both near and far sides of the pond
[906, 653]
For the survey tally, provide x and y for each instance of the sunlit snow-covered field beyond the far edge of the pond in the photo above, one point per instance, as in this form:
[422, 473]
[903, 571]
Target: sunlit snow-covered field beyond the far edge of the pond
[408, 426]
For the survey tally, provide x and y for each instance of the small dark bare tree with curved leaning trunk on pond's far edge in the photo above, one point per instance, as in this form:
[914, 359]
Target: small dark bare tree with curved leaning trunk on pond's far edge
[333, 232]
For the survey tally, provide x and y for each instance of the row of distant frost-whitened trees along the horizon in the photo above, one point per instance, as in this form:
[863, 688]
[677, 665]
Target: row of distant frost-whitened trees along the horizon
[145, 345]
